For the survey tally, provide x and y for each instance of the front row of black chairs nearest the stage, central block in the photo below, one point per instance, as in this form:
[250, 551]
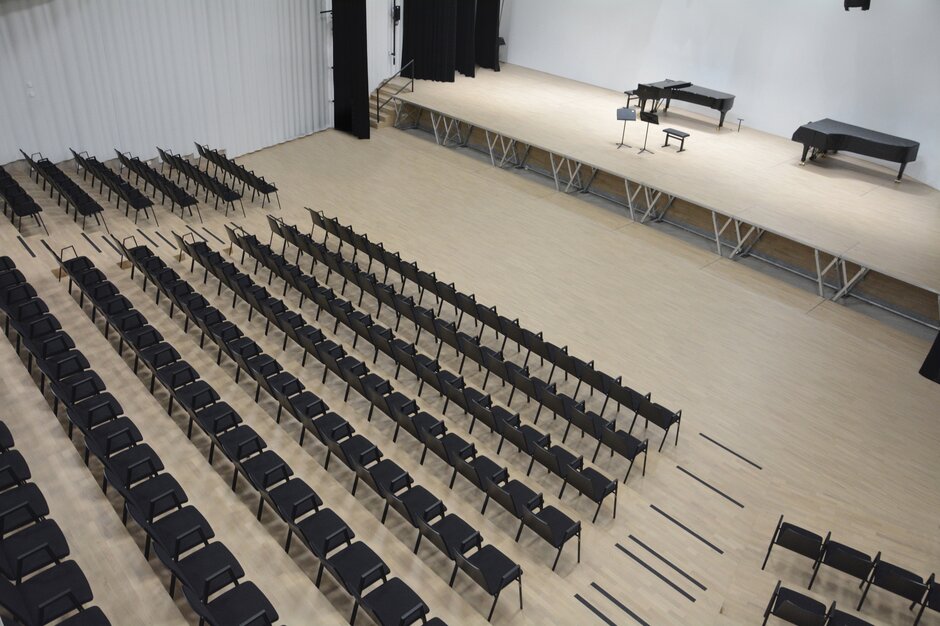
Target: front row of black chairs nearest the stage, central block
[610, 388]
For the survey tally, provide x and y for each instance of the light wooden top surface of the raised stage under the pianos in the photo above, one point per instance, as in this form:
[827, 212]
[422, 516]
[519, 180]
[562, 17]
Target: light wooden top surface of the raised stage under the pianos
[844, 205]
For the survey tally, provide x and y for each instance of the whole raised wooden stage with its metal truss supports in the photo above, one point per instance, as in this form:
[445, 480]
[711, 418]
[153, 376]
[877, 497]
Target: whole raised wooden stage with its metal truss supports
[848, 211]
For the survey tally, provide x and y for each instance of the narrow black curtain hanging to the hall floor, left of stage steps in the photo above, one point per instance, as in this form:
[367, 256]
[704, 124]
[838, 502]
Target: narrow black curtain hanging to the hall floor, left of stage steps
[350, 68]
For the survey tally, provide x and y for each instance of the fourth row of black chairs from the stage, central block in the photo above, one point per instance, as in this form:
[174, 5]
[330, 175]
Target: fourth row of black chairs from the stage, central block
[483, 473]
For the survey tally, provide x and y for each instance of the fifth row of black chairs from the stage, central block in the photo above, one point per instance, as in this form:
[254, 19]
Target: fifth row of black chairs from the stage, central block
[455, 537]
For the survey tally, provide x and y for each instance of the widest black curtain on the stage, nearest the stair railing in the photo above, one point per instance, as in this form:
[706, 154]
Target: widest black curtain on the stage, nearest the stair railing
[430, 38]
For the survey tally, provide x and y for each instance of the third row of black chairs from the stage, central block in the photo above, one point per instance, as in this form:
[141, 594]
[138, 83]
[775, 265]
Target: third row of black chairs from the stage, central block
[526, 438]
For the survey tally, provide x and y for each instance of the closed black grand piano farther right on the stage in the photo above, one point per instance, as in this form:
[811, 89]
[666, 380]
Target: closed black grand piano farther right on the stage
[830, 136]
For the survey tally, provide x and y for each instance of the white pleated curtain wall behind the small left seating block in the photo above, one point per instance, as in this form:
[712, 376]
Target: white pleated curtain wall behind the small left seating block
[132, 74]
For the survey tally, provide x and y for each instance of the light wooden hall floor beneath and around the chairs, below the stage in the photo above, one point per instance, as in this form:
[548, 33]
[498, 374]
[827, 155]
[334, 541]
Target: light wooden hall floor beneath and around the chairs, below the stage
[826, 401]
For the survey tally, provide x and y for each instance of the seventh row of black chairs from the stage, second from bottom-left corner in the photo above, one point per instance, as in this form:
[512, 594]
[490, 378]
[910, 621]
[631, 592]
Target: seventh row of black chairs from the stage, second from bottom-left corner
[179, 534]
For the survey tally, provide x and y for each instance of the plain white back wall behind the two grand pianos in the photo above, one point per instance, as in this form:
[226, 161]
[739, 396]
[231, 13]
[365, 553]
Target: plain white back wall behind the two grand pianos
[787, 61]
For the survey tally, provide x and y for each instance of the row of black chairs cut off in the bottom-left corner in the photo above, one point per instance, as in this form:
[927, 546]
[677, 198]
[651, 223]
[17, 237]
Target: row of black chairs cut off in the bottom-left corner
[37, 586]
